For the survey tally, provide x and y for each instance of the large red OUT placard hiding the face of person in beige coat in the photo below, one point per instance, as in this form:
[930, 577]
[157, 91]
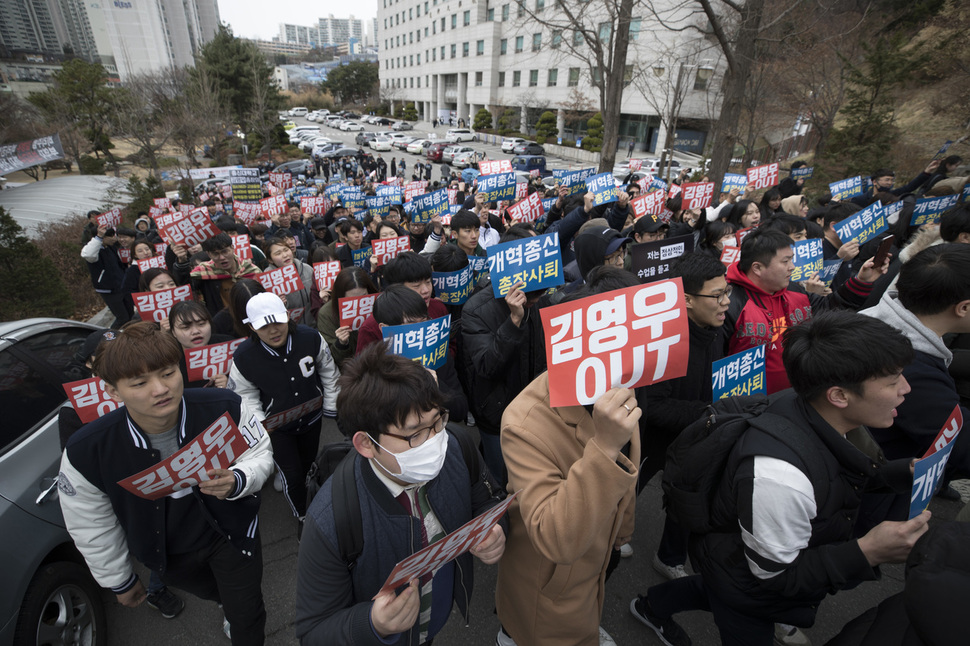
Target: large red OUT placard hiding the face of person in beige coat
[625, 338]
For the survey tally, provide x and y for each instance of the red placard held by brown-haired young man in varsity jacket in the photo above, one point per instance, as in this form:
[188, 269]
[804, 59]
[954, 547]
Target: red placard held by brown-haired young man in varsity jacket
[215, 448]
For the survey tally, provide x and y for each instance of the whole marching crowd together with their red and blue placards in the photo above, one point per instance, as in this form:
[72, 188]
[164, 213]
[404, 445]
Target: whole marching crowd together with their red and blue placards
[792, 366]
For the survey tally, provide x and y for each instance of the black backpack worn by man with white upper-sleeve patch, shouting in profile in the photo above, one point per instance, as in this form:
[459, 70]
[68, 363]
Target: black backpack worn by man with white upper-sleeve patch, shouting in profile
[697, 458]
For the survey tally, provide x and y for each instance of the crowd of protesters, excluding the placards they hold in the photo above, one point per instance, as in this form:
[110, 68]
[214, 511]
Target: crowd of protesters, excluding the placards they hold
[877, 355]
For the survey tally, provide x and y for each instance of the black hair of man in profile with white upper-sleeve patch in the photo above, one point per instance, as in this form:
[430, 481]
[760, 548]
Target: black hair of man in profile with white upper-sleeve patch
[844, 349]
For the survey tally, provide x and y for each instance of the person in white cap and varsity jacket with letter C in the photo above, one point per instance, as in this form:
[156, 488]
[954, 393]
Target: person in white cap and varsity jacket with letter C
[286, 373]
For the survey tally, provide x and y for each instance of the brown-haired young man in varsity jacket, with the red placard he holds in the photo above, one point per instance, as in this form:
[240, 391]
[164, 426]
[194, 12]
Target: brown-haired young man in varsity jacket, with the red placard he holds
[171, 479]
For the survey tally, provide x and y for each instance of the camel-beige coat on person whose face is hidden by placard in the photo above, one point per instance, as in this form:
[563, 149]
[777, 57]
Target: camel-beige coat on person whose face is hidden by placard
[574, 505]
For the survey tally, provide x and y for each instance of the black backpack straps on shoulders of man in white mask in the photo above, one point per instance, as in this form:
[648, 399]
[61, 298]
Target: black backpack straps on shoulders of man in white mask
[337, 460]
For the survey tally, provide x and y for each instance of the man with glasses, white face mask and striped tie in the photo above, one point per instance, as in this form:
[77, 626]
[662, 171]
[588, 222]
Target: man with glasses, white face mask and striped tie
[414, 486]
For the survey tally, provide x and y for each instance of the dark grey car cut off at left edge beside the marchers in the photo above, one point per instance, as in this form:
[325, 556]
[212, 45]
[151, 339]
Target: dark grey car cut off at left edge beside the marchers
[48, 595]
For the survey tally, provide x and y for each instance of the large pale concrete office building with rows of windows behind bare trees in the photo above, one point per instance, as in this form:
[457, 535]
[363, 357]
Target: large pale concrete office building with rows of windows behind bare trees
[450, 58]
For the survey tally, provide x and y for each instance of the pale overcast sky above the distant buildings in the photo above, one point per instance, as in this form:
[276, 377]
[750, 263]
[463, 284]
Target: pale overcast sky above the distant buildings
[262, 18]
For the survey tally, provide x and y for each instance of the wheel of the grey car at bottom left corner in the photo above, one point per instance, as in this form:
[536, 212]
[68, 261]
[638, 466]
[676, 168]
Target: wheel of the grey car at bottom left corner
[62, 606]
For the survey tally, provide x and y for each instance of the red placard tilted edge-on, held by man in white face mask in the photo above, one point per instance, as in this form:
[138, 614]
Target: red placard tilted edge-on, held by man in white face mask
[448, 548]
